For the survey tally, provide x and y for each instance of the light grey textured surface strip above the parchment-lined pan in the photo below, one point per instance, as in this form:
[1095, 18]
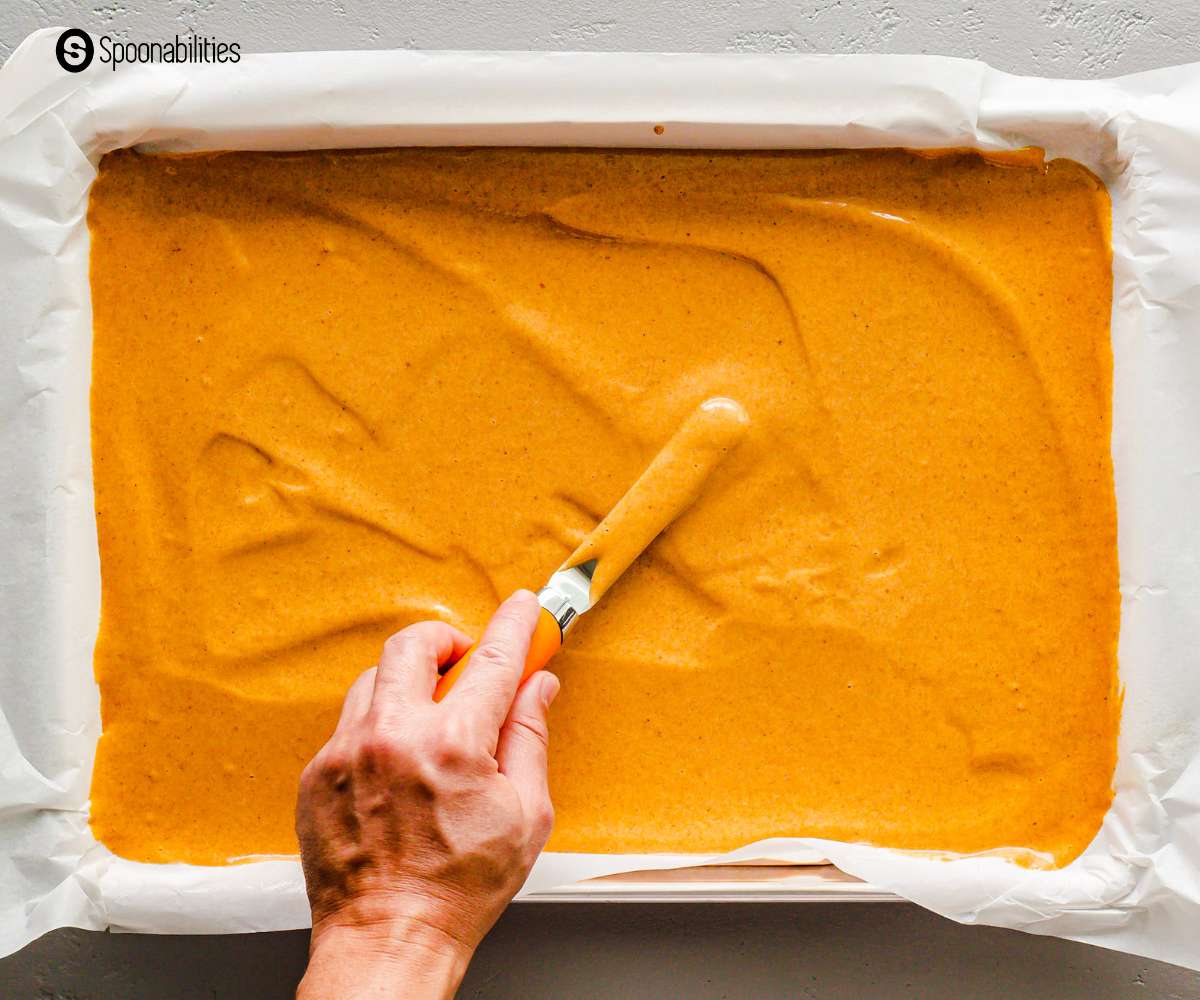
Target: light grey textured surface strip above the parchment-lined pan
[1045, 38]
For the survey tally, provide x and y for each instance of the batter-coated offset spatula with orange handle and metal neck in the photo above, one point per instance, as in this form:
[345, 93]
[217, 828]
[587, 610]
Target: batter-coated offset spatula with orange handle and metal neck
[669, 487]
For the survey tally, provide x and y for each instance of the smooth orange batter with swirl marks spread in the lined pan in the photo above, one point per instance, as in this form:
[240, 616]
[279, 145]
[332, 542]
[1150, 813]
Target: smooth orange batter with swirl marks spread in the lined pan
[335, 393]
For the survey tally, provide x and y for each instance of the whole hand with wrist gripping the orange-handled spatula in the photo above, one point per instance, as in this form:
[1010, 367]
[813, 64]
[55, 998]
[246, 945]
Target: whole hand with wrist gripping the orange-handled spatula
[419, 822]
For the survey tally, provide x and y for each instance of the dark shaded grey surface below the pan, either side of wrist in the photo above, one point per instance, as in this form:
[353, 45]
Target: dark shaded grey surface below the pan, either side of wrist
[835, 951]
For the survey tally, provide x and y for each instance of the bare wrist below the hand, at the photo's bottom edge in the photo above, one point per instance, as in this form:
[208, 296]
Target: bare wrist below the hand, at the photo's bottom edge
[400, 955]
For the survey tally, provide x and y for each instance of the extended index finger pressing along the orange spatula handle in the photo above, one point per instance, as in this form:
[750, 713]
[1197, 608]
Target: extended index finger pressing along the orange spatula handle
[494, 673]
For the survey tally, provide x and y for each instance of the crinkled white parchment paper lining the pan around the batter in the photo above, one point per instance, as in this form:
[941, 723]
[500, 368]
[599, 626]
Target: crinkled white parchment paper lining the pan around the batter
[1138, 885]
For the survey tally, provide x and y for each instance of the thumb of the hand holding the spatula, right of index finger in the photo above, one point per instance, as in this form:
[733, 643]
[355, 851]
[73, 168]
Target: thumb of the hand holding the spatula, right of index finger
[521, 751]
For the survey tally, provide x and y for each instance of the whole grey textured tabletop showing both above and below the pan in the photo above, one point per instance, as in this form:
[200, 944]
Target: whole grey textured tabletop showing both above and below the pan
[827, 951]
